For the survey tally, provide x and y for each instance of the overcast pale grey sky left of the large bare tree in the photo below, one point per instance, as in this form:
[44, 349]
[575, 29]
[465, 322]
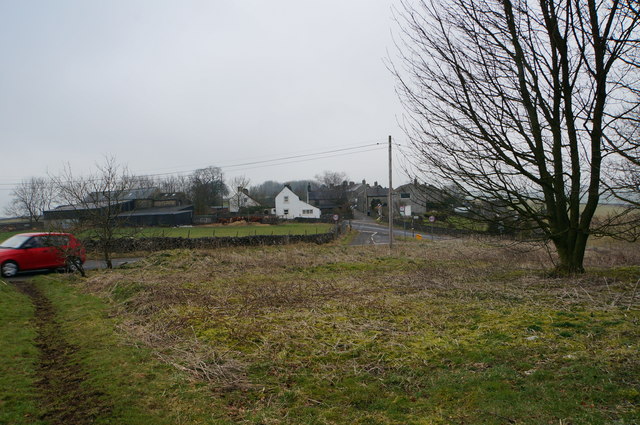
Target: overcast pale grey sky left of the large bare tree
[171, 86]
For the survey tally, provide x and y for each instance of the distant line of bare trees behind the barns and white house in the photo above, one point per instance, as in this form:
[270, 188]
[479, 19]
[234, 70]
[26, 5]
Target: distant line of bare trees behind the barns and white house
[203, 187]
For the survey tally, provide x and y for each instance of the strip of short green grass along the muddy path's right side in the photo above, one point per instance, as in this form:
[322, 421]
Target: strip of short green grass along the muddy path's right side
[140, 389]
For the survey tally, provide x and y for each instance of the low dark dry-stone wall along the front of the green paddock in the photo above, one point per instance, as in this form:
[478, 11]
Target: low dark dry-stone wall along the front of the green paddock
[161, 244]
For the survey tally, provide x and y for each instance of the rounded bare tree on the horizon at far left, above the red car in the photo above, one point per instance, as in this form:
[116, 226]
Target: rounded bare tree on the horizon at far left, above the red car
[31, 197]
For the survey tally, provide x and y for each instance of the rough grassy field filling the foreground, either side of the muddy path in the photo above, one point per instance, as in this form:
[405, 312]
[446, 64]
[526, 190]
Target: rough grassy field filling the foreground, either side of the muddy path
[435, 333]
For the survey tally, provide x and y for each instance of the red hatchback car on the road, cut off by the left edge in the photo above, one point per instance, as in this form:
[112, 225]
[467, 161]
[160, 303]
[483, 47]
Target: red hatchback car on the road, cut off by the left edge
[35, 251]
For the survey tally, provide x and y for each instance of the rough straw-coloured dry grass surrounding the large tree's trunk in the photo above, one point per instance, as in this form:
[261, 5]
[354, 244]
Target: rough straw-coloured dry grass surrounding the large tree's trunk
[295, 327]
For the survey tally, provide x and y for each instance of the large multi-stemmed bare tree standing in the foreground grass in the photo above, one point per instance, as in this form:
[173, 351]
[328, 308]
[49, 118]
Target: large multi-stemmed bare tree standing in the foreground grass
[514, 101]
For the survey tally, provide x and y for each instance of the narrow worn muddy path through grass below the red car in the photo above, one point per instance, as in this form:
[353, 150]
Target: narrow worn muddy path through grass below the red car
[65, 397]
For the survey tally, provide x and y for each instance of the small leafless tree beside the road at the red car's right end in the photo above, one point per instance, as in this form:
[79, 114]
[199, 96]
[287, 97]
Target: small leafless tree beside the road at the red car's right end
[95, 202]
